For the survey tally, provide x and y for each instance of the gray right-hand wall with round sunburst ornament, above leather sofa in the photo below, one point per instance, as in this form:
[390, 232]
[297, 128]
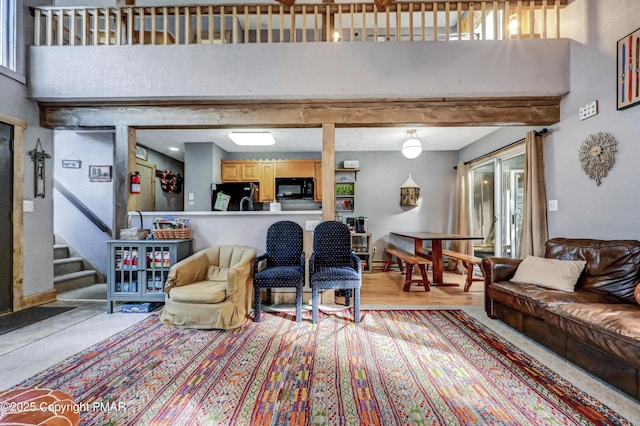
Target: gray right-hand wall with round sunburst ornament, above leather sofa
[585, 209]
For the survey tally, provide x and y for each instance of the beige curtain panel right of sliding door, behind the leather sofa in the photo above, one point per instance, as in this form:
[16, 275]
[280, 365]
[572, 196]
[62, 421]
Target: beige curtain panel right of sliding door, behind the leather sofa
[534, 224]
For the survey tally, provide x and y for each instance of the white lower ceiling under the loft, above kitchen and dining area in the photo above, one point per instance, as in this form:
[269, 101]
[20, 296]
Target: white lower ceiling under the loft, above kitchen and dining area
[310, 139]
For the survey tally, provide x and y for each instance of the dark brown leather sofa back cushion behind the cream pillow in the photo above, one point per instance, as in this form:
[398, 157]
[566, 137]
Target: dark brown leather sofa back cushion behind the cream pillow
[613, 266]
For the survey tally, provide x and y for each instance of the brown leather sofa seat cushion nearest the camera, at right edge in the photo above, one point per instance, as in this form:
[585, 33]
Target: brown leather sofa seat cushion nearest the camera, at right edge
[612, 328]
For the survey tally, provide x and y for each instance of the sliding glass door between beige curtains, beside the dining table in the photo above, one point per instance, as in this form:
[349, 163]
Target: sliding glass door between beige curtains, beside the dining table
[498, 198]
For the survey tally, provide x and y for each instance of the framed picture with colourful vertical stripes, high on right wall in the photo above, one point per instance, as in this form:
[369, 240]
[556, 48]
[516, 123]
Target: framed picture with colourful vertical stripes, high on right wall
[628, 66]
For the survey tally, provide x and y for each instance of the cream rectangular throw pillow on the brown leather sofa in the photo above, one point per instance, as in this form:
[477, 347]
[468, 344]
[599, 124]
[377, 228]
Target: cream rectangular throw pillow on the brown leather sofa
[549, 273]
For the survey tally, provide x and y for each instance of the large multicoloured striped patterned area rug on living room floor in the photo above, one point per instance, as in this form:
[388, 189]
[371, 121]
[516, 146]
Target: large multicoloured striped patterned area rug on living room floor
[396, 367]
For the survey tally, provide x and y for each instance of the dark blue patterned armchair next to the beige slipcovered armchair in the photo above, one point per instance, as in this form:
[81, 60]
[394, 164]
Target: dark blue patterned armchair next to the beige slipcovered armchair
[281, 266]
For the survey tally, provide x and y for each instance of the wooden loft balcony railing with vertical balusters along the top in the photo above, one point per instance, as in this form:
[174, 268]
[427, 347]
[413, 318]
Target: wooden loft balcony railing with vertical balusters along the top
[303, 23]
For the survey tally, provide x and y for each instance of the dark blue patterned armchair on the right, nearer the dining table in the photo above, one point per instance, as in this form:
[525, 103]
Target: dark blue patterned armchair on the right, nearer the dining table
[332, 265]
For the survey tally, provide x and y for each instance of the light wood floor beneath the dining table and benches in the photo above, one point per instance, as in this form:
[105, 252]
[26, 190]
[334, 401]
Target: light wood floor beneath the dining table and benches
[385, 288]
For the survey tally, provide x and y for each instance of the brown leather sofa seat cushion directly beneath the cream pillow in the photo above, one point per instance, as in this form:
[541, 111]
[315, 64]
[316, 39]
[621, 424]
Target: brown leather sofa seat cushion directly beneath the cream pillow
[533, 300]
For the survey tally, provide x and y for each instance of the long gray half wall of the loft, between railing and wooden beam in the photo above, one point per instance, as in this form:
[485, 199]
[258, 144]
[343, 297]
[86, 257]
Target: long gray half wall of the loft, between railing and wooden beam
[303, 70]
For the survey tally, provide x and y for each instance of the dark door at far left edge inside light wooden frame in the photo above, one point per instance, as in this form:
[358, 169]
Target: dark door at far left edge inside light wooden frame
[6, 210]
